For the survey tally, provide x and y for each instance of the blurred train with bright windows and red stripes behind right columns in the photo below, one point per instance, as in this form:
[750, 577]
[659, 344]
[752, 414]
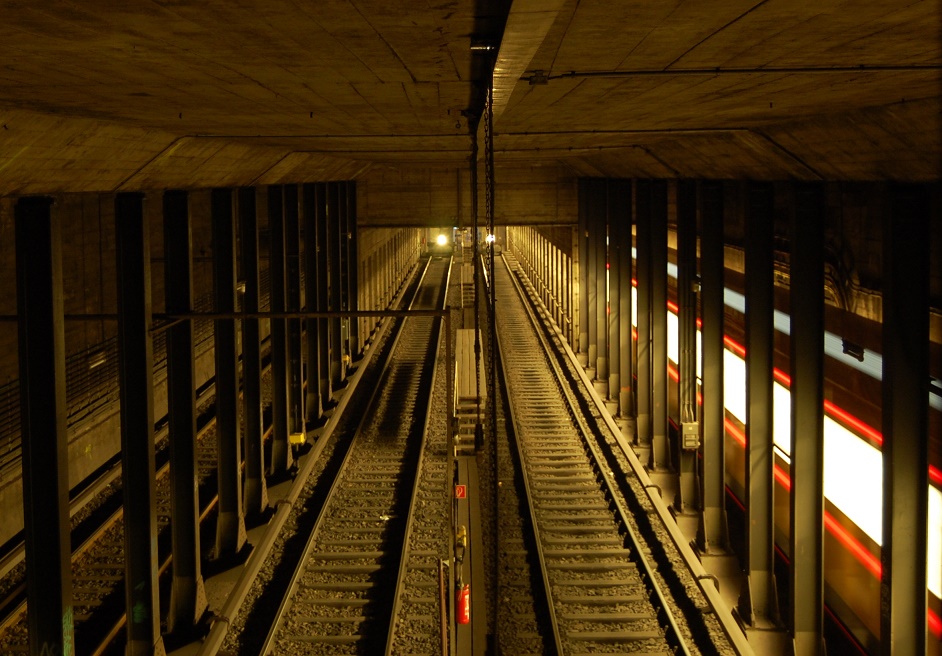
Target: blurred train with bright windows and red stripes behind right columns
[853, 466]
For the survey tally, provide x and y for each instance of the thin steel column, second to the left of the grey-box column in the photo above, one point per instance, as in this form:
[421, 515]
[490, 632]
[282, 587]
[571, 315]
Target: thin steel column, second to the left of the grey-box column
[644, 382]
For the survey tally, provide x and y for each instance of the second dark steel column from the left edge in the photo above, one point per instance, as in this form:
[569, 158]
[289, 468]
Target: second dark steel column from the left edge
[136, 371]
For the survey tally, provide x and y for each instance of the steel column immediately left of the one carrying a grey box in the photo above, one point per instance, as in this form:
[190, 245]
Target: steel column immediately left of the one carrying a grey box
[660, 450]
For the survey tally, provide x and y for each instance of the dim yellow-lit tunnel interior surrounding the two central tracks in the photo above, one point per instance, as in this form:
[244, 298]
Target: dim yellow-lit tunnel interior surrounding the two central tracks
[730, 215]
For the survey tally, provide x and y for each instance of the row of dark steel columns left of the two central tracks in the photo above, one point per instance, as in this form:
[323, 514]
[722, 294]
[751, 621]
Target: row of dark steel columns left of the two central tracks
[327, 214]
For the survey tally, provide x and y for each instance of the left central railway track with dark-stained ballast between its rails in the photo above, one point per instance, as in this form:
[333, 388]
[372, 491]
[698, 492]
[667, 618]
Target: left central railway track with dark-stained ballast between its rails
[369, 573]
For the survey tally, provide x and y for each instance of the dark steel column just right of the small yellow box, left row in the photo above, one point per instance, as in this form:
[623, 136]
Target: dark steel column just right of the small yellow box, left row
[312, 276]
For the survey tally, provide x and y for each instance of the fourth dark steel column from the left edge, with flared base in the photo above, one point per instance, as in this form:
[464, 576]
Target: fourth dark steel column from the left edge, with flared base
[230, 524]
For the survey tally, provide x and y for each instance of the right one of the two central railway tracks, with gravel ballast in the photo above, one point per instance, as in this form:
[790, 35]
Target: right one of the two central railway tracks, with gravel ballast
[597, 582]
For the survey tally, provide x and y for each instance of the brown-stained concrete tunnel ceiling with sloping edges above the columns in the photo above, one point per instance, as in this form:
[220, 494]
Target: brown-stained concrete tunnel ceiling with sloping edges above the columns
[102, 95]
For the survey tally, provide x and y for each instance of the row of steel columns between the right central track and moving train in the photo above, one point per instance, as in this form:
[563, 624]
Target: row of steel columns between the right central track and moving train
[634, 375]
